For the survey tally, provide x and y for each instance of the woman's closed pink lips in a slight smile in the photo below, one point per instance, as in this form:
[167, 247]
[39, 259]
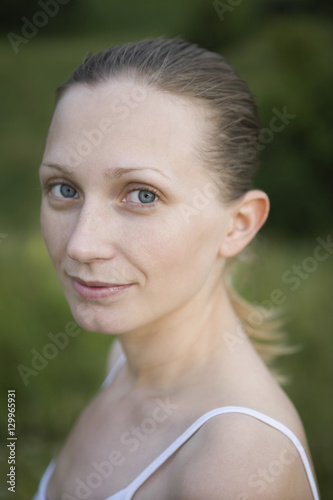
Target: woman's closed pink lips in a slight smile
[95, 290]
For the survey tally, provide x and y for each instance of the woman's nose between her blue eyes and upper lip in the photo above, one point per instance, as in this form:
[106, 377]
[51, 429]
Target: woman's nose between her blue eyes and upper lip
[92, 237]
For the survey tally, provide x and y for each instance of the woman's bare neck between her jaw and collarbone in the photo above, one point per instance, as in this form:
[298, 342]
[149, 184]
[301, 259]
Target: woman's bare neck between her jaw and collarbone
[166, 354]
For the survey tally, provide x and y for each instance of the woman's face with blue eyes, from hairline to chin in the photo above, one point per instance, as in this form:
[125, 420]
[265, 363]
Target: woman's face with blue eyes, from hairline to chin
[131, 219]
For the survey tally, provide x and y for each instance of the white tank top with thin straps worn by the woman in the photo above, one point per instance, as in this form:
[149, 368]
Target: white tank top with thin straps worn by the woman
[128, 492]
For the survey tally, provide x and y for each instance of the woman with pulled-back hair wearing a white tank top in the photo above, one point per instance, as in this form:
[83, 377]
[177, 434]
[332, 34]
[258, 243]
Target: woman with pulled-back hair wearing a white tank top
[147, 196]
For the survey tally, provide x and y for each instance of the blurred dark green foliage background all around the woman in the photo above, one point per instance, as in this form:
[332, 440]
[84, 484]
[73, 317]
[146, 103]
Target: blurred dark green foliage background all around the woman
[283, 49]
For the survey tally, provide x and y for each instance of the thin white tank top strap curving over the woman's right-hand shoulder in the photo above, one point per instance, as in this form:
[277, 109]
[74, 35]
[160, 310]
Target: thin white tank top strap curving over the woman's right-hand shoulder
[163, 457]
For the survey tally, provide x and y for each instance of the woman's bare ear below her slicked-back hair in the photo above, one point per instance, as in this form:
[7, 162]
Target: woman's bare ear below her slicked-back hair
[246, 217]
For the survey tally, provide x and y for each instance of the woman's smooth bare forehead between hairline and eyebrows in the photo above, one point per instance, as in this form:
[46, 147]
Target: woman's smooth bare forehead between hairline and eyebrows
[122, 122]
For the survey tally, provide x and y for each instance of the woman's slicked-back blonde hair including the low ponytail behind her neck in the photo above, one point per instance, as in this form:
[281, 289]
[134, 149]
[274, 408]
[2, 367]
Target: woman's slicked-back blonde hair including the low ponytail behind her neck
[230, 147]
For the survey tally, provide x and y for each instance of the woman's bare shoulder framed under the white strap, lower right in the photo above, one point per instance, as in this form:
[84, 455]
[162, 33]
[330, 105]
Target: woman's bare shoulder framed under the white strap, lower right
[237, 456]
